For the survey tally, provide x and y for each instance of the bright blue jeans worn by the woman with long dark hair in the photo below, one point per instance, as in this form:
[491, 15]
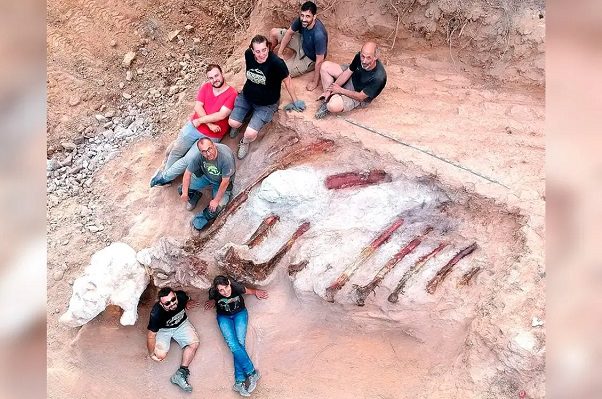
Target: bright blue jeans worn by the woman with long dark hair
[234, 330]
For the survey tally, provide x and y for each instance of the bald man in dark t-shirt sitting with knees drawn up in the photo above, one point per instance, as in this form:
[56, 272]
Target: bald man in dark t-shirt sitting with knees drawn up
[346, 88]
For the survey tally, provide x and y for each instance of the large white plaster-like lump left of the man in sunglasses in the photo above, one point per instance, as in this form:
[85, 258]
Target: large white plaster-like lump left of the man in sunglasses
[113, 277]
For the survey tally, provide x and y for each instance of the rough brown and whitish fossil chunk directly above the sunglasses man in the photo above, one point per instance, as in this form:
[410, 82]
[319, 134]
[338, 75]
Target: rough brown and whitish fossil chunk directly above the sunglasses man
[170, 265]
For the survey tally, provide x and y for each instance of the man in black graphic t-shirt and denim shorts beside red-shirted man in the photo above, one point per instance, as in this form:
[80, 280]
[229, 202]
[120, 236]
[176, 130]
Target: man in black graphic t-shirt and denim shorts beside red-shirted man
[260, 95]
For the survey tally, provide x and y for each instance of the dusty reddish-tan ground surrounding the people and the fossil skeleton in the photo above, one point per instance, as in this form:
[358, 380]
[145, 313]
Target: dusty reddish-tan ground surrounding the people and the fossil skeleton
[481, 110]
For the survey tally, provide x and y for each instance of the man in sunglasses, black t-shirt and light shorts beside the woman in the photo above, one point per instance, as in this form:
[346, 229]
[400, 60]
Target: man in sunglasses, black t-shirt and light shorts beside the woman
[168, 320]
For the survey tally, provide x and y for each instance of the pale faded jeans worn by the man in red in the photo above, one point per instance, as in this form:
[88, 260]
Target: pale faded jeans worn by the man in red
[183, 151]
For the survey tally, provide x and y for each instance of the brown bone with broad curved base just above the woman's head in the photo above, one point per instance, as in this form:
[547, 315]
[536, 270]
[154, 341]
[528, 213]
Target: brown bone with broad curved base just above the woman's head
[248, 271]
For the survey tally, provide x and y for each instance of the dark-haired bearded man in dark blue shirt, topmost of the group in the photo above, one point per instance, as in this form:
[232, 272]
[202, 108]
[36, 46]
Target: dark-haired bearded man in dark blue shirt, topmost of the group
[308, 38]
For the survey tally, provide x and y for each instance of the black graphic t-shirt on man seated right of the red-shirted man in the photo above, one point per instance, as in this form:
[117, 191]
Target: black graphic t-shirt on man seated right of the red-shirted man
[264, 80]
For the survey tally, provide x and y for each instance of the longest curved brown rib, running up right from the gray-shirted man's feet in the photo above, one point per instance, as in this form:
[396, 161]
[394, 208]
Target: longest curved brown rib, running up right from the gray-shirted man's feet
[296, 156]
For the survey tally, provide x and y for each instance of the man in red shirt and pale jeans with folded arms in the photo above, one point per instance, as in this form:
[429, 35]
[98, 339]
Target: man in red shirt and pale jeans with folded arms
[214, 103]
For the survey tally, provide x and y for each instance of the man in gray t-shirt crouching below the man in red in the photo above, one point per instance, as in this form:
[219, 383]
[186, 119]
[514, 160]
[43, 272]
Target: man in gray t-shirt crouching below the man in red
[214, 166]
